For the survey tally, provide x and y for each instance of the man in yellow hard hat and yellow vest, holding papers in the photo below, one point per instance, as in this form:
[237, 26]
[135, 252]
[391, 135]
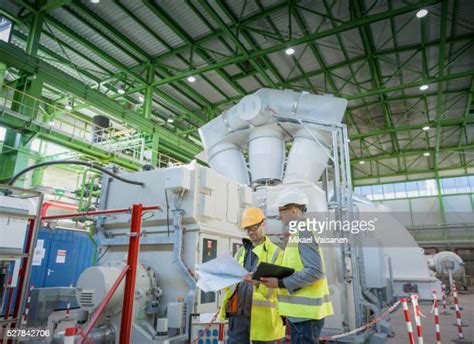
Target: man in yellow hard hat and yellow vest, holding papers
[253, 315]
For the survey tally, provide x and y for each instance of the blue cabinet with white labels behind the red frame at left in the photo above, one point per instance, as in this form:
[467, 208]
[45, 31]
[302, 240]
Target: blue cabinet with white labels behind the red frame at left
[60, 256]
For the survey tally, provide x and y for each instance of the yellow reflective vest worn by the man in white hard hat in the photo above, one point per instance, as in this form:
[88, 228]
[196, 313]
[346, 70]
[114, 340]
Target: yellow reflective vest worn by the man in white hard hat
[312, 301]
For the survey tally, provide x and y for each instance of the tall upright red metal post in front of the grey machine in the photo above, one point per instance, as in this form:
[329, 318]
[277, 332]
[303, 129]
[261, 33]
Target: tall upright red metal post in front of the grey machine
[132, 262]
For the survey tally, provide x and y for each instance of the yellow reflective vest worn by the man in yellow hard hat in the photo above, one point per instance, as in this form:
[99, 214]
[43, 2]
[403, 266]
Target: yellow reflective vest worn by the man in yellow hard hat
[265, 321]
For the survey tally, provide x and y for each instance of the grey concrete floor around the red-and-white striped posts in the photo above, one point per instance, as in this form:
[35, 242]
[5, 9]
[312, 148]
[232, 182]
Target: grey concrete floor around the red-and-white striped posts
[448, 331]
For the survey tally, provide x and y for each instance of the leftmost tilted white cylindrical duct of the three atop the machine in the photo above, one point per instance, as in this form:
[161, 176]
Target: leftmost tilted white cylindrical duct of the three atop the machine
[227, 159]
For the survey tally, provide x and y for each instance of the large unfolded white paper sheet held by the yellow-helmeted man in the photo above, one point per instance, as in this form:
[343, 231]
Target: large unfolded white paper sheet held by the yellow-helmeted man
[219, 273]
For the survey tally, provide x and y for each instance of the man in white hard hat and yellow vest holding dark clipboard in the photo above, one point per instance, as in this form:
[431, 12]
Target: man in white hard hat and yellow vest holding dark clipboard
[303, 296]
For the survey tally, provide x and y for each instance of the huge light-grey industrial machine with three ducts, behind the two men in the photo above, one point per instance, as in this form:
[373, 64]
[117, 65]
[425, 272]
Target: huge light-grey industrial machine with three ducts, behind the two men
[245, 148]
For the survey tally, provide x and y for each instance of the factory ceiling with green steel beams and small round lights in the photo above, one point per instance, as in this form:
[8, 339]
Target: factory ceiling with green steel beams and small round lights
[166, 67]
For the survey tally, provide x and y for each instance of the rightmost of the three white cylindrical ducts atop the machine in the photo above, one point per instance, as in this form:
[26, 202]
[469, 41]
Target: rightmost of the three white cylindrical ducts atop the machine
[307, 158]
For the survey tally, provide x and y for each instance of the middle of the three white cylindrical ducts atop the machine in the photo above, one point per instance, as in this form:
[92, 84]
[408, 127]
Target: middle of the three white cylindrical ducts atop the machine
[266, 155]
